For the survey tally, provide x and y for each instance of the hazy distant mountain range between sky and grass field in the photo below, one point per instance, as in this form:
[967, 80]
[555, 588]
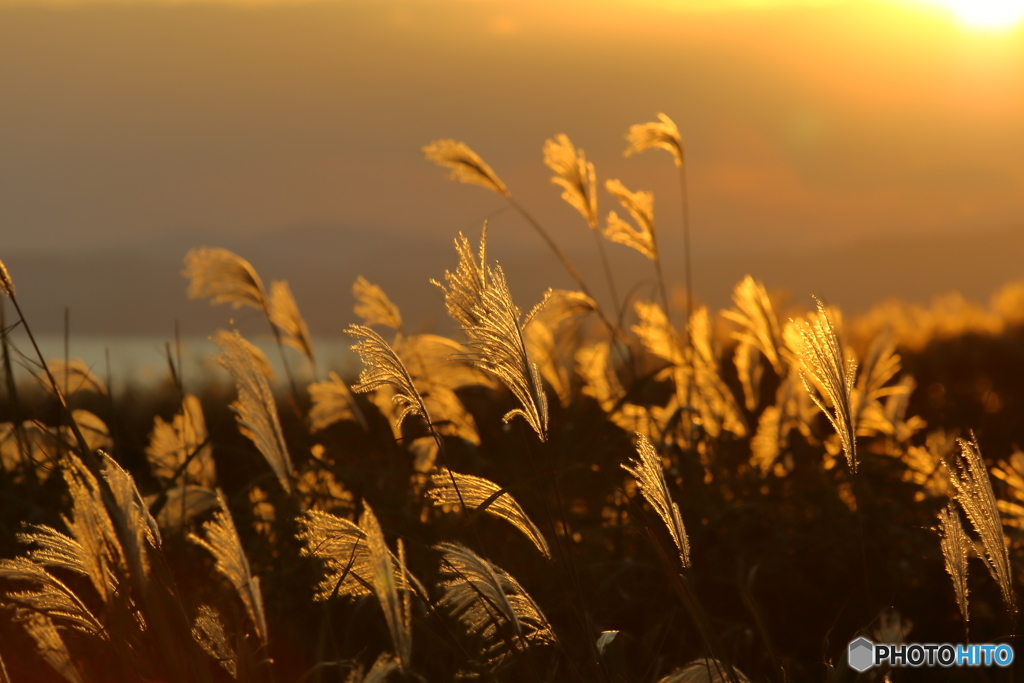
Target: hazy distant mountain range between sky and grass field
[138, 290]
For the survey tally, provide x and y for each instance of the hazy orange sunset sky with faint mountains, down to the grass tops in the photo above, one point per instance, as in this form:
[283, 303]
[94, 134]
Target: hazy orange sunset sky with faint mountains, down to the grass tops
[852, 150]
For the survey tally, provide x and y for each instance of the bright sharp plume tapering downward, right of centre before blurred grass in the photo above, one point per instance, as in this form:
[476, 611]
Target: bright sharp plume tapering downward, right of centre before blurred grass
[822, 358]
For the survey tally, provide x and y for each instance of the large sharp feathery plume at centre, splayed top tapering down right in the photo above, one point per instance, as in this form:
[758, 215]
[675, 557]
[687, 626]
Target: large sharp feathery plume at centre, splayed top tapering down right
[478, 297]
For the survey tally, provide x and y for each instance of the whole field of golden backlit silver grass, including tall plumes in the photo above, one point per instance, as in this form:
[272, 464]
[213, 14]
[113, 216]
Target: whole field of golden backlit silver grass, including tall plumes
[629, 491]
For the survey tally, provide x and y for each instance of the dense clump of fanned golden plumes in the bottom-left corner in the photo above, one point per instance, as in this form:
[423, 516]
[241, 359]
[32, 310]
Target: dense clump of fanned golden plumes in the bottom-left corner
[108, 543]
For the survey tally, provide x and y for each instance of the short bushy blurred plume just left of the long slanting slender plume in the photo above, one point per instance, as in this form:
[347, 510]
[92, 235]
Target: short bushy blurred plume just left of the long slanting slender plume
[172, 444]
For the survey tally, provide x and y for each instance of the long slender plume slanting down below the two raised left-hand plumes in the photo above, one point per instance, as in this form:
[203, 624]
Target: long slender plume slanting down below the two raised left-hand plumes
[255, 408]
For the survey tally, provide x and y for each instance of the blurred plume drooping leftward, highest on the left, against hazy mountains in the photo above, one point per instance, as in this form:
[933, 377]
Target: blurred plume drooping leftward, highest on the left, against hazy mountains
[224, 277]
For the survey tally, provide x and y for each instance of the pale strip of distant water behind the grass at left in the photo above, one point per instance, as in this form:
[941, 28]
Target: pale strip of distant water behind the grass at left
[142, 361]
